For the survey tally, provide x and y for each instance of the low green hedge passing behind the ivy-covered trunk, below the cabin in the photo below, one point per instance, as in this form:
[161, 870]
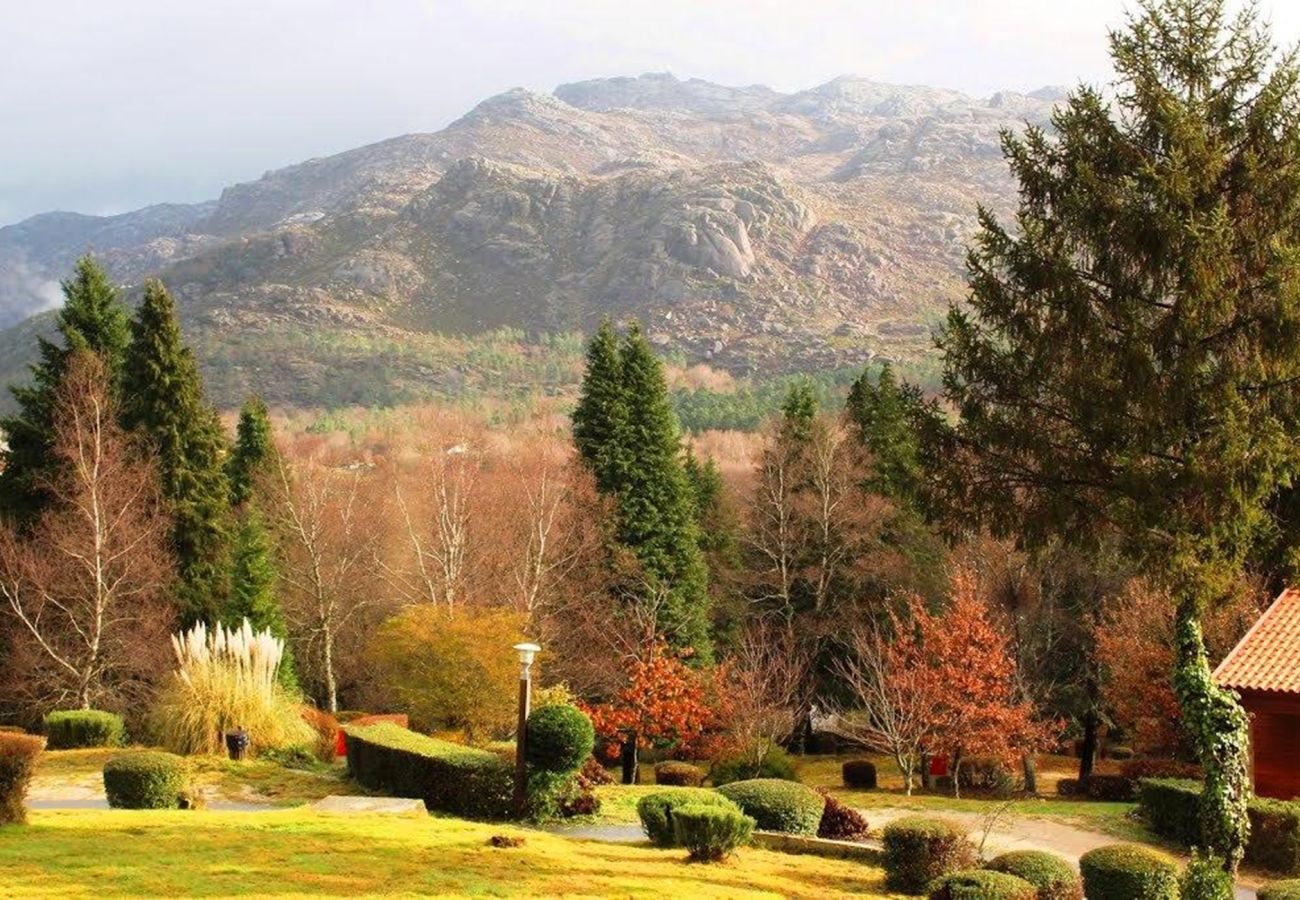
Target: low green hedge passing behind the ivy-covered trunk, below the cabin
[1172, 807]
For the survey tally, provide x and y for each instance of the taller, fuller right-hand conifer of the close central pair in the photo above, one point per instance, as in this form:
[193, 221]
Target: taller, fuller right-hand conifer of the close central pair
[656, 508]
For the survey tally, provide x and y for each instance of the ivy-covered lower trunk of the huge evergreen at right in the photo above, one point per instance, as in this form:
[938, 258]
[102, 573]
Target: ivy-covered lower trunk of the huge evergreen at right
[1220, 732]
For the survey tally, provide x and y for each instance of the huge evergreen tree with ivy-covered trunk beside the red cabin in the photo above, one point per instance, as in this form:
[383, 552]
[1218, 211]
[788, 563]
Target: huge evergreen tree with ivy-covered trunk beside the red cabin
[1130, 360]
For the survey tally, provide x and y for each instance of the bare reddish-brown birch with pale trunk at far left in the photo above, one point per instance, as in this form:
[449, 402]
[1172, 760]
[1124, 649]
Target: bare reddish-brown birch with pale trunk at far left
[86, 586]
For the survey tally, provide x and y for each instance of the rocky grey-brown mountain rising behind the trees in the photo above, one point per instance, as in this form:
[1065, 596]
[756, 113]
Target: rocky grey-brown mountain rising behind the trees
[759, 231]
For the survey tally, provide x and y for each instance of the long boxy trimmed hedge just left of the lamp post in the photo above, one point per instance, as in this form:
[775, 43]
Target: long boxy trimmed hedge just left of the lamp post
[450, 778]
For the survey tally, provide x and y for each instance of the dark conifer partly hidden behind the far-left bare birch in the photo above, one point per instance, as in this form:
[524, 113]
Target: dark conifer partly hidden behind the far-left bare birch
[93, 318]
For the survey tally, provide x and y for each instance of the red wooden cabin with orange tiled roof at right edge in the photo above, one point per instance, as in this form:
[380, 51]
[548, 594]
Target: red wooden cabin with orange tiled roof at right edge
[1264, 668]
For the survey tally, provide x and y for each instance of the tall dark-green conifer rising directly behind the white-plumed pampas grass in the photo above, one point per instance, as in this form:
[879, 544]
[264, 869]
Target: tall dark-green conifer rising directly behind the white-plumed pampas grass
[163, 400]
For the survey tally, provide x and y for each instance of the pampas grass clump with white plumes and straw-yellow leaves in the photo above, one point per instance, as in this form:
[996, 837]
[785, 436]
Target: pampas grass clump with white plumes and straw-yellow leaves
[226, 680]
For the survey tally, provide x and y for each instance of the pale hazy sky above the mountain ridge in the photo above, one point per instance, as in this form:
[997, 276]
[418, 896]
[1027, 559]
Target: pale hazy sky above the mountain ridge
[112, 105]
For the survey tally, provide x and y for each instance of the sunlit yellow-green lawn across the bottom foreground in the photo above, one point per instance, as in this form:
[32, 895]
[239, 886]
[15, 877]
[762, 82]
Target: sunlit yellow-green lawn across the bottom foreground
[298, 853]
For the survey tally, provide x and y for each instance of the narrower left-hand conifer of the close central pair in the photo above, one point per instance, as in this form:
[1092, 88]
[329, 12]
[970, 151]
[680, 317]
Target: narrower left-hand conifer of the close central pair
[601, 413]
